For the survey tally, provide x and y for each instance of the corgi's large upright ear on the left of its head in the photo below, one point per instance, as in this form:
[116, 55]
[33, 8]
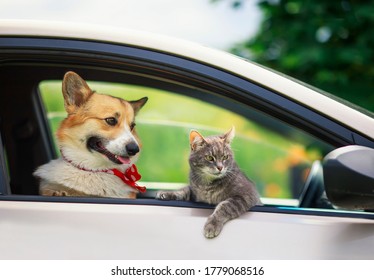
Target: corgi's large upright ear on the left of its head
[75, 91]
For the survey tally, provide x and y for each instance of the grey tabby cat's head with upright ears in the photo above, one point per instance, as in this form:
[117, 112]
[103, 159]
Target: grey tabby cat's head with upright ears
[211, 156]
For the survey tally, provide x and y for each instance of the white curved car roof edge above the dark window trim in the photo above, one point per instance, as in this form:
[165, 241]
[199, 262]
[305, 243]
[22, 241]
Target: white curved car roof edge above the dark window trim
[286, 86]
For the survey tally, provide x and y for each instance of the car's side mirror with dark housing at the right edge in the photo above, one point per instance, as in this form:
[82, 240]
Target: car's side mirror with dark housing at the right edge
[349, 177]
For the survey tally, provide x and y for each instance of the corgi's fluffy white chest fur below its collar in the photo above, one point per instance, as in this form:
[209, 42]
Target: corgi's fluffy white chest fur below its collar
[90, 183]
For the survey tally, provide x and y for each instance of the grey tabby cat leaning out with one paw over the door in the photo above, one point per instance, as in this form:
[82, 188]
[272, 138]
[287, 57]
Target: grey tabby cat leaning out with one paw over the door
[215, 178]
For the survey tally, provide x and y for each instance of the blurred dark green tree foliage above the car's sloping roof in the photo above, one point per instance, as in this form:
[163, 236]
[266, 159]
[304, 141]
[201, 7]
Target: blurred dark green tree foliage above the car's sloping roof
[328, 44]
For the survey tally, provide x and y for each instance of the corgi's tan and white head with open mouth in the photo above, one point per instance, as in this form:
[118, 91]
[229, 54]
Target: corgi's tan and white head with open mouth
[99, 131]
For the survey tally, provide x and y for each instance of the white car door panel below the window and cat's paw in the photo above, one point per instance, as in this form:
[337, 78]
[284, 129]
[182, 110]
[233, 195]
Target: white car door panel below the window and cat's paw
[31, 230]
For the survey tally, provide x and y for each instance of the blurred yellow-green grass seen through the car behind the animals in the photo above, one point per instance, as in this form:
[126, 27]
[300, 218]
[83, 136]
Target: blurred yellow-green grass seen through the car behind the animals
[164, 124]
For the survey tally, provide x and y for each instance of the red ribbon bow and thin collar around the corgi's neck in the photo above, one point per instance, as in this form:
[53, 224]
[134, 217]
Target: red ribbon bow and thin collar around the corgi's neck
[129, 177]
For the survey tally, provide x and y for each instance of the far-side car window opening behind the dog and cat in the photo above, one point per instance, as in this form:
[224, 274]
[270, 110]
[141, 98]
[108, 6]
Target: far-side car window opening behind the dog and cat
[275, 155]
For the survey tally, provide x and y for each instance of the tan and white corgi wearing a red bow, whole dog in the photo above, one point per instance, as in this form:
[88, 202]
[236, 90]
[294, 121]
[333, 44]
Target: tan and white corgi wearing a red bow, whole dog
[98, 143]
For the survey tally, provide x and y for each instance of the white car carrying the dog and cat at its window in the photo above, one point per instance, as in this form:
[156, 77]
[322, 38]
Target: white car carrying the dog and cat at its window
[302, 148]
